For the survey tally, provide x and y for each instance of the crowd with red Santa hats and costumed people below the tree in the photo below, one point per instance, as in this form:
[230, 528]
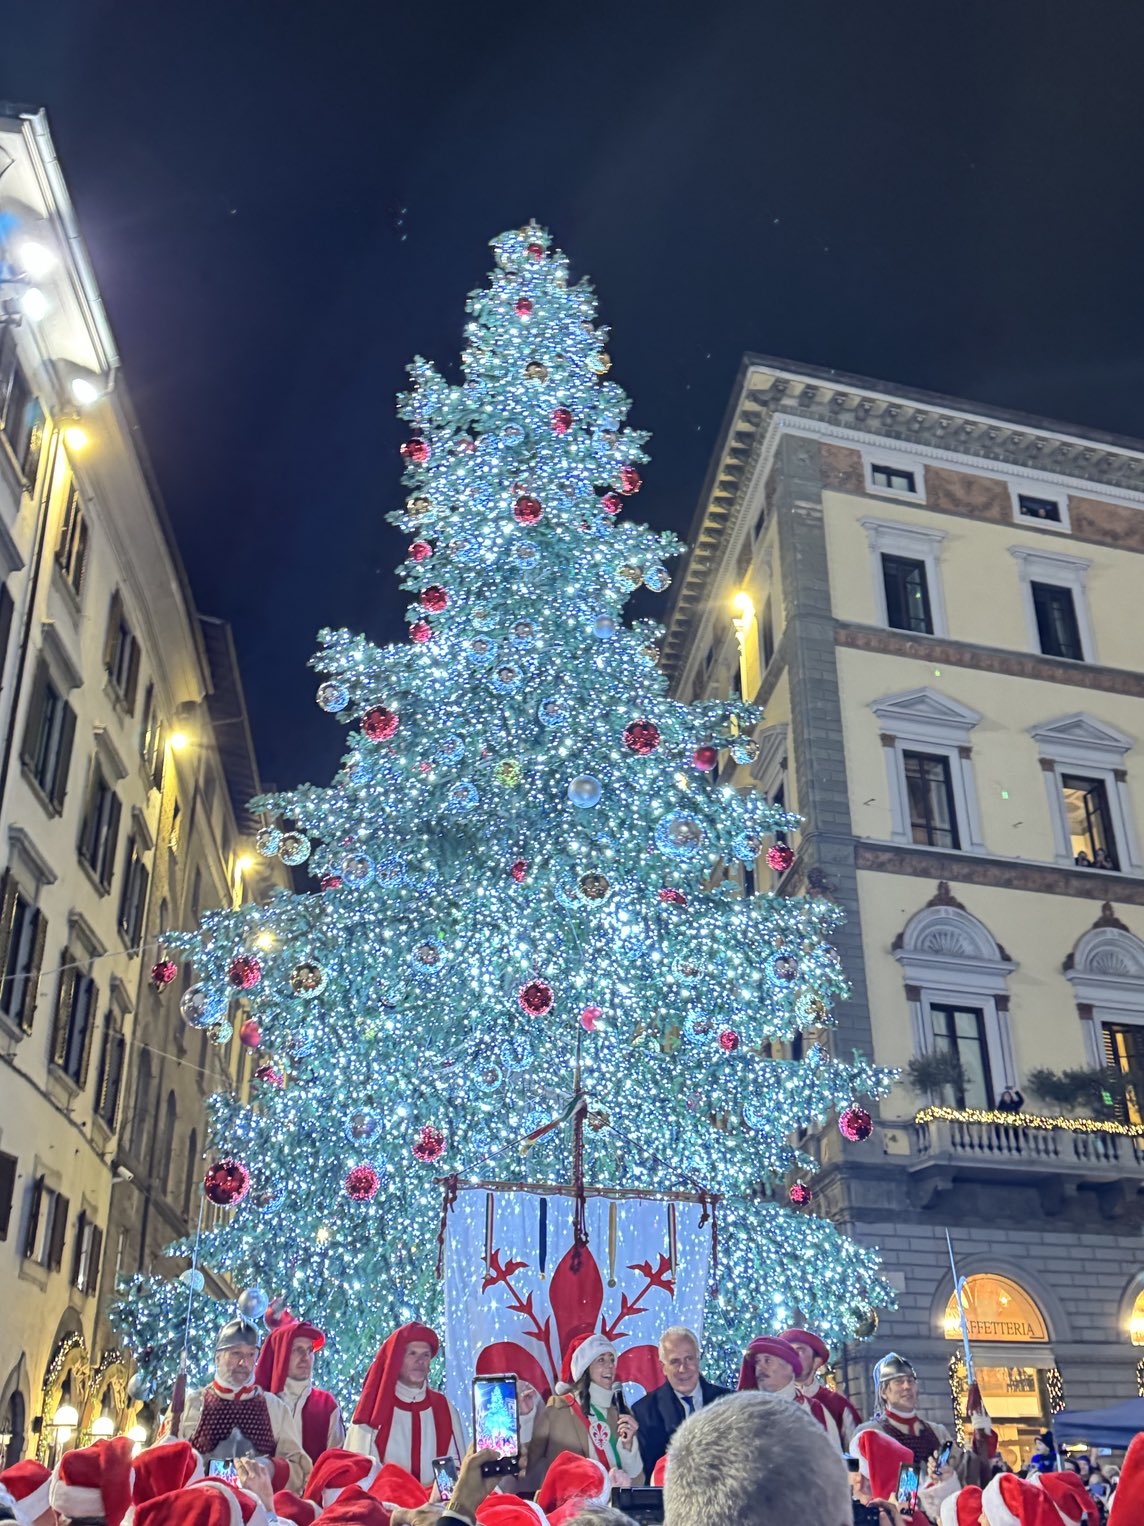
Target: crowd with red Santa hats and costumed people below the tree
[262, 1446]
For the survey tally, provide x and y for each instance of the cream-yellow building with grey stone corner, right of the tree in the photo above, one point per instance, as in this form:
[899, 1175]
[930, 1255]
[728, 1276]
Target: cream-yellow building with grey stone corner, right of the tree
[939, 608]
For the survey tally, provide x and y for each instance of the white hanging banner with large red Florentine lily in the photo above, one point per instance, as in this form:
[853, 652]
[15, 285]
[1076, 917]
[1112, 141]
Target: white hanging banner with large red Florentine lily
[516, 1293]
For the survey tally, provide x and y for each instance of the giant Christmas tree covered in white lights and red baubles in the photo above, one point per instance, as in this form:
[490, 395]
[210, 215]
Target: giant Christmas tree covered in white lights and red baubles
[525, 872]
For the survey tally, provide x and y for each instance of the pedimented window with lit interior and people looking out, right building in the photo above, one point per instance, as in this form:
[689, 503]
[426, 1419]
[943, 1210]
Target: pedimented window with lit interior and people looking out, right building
[1088, 797]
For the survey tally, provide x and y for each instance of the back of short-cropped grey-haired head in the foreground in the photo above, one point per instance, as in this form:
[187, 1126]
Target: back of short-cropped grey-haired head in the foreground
[756, 1463]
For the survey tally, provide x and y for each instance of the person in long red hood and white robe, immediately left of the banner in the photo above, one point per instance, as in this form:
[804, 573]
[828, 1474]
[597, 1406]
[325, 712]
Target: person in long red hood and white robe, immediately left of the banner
[399, 1417]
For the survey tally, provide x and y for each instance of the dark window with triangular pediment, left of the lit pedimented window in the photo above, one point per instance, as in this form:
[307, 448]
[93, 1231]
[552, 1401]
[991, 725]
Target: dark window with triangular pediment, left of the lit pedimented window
[930, 770]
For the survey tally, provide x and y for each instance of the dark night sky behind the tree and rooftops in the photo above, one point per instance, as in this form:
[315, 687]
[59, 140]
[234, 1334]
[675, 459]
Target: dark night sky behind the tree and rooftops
[940, 195]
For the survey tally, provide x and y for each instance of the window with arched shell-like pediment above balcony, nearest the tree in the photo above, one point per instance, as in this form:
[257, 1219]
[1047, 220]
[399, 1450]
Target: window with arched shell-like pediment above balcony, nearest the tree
[957, 976]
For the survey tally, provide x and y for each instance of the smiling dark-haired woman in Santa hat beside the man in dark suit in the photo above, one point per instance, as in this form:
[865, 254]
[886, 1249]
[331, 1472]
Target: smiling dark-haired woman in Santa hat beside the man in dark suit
[585, 1417]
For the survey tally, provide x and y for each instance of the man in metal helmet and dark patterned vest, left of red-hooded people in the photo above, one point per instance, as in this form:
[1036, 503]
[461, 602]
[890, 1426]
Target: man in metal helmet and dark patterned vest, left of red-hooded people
[234, 1418]
